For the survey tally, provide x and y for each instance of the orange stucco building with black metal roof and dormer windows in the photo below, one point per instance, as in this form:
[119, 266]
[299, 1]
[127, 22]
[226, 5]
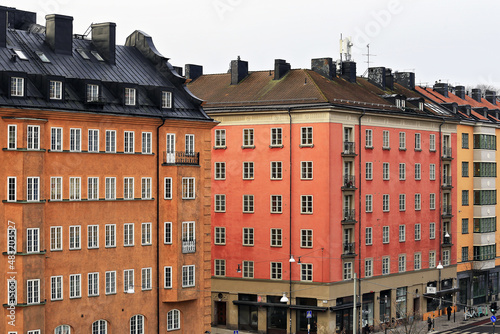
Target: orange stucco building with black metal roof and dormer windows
[106, 184]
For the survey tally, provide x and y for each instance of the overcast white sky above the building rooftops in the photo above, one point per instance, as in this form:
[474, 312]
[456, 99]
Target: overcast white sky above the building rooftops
[456, 41]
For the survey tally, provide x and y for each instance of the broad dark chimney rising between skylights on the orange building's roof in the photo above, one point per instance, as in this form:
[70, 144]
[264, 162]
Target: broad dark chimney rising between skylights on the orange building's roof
[59, 33]
